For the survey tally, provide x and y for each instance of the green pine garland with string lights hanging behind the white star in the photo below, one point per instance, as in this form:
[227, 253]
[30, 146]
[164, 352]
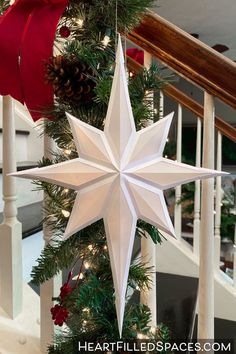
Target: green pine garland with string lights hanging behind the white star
[81, 74]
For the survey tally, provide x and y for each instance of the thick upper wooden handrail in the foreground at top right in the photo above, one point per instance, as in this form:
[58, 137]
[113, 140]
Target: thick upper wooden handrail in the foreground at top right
[188, 56]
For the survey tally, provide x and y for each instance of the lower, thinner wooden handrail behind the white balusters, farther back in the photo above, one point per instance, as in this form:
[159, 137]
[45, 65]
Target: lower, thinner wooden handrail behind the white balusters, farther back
[226, 129]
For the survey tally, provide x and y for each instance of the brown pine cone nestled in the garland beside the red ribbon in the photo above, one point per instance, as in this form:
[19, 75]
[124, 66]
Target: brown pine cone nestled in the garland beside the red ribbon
[71, 79]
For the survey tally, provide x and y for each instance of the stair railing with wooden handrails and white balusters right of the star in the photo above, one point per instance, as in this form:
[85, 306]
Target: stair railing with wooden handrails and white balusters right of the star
[215, 75]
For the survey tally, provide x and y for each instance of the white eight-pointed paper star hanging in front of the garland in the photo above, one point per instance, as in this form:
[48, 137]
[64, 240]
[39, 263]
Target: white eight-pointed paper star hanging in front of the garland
[120, 177]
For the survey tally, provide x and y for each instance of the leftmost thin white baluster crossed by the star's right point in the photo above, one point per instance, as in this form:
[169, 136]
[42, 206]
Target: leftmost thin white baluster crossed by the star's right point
[178, 207]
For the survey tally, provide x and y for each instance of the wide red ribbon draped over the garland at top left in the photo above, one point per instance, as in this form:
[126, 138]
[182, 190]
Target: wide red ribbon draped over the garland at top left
[27, 32]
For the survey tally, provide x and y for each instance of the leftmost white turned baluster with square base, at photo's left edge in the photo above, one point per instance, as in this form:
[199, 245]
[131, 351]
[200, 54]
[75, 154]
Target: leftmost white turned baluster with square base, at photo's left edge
[10, 229]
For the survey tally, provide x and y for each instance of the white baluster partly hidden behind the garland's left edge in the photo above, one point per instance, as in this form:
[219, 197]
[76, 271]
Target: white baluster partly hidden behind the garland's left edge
[50, 288]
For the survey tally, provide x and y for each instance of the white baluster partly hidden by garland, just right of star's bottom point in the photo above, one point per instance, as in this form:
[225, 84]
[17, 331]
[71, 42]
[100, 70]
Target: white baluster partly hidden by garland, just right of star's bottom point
[148, 253]
